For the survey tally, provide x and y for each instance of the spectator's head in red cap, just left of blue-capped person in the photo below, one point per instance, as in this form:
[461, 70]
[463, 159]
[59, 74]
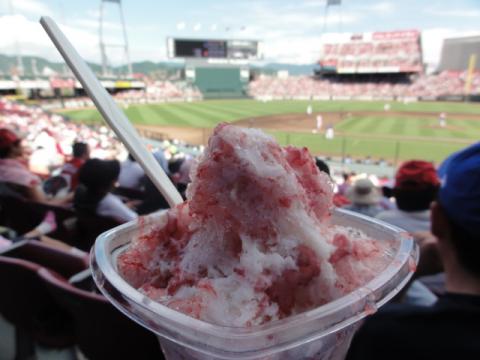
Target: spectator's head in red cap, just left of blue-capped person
[416, 185]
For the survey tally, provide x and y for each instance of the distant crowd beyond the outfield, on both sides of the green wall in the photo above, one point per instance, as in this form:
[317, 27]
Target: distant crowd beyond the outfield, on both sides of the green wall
[446, 83]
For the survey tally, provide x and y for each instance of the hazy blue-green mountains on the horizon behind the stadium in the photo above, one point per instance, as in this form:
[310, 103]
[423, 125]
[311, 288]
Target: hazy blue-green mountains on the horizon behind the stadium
[159, 70]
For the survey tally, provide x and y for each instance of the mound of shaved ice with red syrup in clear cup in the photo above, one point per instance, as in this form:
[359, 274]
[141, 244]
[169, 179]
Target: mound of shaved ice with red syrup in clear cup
[254, 241]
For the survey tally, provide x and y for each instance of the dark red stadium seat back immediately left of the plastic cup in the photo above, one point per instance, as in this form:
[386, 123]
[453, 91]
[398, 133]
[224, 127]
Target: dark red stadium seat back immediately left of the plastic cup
[101, 331]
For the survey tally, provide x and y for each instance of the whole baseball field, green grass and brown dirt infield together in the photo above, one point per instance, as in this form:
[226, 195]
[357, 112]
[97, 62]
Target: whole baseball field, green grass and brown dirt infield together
[362, 128]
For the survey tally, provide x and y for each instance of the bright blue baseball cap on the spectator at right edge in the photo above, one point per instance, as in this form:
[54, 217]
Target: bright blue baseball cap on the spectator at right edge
[459, 192]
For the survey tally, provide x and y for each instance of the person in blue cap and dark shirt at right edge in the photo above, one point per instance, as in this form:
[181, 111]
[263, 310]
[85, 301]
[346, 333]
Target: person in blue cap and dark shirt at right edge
[448, 329]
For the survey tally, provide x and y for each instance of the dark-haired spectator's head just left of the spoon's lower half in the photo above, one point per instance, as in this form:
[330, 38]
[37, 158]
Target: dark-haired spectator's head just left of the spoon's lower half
[99, 176]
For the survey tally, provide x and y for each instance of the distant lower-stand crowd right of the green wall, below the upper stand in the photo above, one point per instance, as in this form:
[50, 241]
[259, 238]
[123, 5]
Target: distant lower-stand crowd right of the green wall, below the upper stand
[446, 83]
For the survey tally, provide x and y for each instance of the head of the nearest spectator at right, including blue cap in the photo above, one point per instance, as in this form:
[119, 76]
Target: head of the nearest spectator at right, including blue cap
[456, 214]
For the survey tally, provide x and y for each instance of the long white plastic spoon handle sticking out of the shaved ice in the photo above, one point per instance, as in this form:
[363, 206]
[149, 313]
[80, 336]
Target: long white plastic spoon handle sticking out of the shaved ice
[111, 112]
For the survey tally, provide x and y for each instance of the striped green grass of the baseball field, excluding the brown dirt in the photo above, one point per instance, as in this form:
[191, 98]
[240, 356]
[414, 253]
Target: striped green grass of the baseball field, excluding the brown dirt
[388, 136]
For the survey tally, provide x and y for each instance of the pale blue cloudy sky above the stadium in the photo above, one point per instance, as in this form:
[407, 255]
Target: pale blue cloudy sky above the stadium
[291, 31]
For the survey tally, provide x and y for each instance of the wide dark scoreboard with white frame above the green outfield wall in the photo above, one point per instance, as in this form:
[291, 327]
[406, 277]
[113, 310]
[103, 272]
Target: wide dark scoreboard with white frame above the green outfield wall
[213, 49]
